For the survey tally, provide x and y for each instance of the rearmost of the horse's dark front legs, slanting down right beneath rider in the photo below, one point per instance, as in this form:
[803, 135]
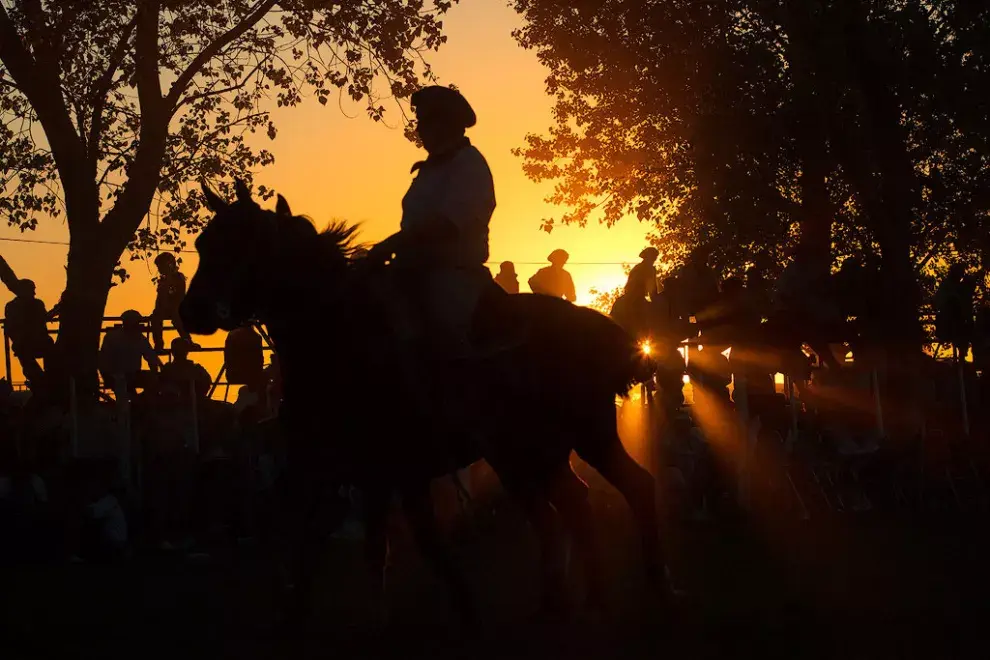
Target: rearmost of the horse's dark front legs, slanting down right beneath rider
[418, 506]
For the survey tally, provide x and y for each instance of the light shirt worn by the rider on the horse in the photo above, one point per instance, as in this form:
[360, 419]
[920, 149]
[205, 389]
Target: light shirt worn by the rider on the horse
[460, 189]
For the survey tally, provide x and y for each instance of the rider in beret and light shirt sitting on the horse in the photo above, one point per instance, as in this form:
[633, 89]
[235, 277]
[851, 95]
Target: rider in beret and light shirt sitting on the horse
[442, 245]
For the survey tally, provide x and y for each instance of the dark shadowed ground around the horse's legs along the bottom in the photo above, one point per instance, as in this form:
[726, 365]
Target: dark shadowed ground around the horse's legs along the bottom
[872, 586]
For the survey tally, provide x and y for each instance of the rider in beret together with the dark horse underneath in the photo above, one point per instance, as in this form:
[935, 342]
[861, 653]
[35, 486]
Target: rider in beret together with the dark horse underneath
[547, 372]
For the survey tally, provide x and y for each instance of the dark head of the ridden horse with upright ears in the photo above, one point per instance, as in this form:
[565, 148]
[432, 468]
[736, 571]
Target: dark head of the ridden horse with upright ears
[239, 259]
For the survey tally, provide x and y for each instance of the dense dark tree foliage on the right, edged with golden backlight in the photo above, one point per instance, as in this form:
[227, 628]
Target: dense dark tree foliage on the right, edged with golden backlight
[749, 125]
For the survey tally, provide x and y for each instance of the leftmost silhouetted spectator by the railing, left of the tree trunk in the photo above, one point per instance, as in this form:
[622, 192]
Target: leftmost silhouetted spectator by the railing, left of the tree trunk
[26, 325]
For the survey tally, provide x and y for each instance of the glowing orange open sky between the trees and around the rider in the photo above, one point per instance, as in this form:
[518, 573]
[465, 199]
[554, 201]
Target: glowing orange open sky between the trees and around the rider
[331, 166]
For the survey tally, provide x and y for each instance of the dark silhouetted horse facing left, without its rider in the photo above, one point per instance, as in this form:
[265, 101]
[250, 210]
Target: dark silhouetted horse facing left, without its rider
[552, 391]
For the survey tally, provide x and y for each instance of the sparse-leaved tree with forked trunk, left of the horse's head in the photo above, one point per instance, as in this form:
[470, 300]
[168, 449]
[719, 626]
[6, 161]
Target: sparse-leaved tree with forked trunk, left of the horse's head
[110, 109]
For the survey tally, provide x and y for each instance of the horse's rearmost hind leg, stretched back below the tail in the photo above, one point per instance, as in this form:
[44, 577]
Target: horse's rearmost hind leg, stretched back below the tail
[604, 452]
